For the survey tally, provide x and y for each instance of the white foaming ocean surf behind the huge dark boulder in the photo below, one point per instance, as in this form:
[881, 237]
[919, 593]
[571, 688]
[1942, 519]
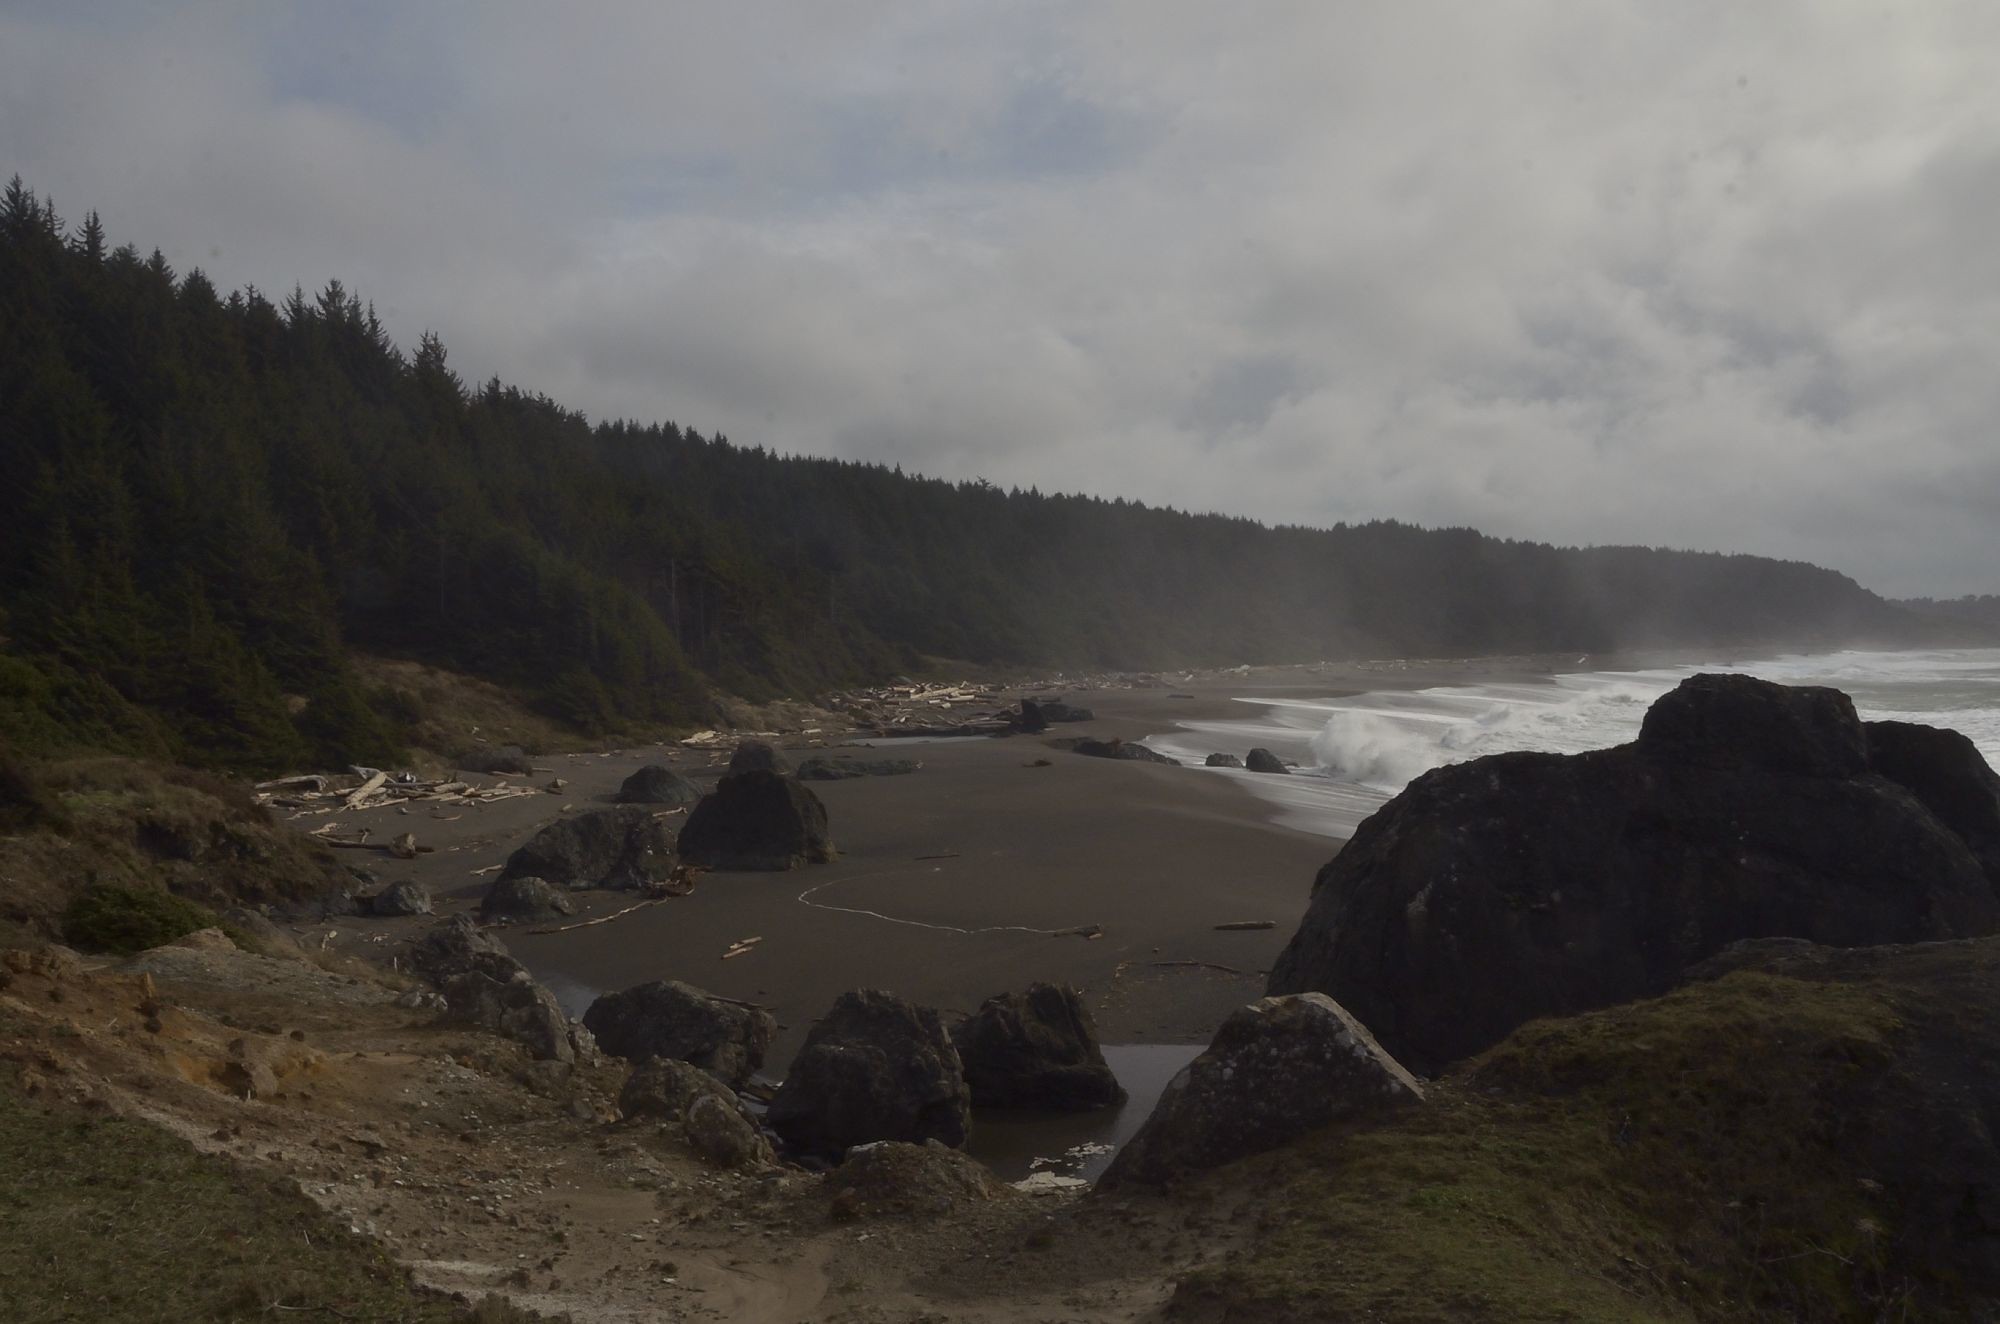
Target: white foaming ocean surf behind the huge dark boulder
[1355, 753]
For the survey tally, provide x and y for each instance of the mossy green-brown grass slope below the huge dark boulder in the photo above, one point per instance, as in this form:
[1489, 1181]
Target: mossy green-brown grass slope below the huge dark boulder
[1685, 1159]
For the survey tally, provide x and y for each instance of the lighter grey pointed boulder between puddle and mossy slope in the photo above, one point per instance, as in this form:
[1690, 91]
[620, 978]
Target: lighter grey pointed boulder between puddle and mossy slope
[1275, 1071]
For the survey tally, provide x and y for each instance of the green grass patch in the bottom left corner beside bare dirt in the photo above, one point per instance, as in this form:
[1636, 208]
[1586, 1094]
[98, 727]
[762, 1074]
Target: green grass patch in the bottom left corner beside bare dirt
[121, 1223]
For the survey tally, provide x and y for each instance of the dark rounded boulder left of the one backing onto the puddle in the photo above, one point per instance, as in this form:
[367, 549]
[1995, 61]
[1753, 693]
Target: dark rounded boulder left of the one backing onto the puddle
[875, 1069]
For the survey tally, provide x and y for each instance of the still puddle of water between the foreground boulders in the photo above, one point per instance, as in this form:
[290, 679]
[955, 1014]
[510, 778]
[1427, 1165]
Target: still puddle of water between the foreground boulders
[1019, 1145]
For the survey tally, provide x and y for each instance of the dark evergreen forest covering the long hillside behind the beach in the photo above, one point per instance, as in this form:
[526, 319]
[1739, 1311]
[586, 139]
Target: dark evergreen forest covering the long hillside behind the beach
[213, 501]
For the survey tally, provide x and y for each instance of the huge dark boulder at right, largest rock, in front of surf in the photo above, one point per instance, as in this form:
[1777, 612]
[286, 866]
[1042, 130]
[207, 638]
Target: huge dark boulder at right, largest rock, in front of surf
[1537, 885]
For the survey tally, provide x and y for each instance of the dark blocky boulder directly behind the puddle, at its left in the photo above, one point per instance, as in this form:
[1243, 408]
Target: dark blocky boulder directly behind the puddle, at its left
[1035, 1049]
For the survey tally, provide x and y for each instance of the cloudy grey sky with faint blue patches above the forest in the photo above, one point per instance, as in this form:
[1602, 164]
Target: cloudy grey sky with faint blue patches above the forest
[1687, 275]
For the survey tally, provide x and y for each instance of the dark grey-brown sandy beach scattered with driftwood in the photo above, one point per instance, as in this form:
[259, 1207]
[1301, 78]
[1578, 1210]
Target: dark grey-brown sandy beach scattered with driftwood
[951, 879]
